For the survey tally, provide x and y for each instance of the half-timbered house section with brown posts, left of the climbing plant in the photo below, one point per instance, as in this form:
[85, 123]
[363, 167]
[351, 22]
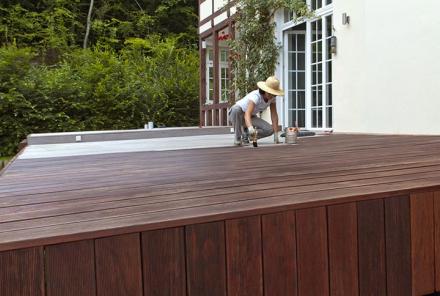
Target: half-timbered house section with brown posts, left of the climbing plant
[215, 28]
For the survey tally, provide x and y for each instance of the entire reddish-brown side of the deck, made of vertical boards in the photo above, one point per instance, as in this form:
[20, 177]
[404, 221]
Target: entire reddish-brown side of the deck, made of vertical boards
[313, 251]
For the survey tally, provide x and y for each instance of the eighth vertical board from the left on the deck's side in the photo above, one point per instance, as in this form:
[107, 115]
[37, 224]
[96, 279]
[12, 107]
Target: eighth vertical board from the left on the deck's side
[311, 225]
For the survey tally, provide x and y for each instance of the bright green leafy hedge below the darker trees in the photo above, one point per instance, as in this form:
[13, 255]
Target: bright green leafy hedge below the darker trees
[97, 90]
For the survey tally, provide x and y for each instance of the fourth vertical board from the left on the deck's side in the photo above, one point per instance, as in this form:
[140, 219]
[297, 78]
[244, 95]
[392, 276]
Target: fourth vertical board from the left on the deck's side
[163, 253]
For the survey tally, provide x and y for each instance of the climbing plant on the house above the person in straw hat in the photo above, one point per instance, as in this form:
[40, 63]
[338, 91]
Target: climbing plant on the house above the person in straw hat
[254, 49]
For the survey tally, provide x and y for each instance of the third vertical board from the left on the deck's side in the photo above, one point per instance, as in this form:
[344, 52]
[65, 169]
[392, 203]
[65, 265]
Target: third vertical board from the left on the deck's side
[118, 265]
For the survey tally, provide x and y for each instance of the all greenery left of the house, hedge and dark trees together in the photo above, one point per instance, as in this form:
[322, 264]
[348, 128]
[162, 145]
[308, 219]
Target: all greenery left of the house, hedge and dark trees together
[141, 65]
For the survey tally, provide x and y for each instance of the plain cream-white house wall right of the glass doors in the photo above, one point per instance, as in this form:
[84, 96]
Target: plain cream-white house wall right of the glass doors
[387, 69]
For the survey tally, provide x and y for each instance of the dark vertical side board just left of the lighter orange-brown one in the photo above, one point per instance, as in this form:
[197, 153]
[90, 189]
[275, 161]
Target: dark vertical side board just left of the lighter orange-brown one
[398, 246]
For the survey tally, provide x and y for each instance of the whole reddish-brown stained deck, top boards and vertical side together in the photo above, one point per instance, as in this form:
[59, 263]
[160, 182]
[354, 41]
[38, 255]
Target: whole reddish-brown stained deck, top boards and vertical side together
[334, 215]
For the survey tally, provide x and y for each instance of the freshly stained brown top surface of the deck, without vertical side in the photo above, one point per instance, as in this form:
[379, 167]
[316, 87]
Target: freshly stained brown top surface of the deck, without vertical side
[49, 201]
